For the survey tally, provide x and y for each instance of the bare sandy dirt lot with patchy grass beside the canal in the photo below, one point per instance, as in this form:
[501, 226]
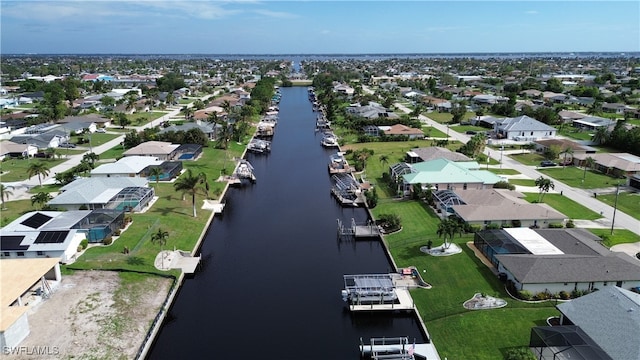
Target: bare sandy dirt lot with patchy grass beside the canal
[95, 315]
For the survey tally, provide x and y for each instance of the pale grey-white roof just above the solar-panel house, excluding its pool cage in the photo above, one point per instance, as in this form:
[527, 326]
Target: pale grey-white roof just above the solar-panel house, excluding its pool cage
[95, 190]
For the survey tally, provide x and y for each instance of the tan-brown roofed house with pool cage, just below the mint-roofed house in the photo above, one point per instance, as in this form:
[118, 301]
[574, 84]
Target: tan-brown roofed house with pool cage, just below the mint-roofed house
[495, 206]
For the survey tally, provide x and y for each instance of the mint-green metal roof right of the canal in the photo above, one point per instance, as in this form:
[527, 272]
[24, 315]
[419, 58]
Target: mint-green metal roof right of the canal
[443, 171]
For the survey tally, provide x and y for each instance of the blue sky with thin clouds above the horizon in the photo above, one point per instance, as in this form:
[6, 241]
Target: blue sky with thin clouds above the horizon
[317, 27]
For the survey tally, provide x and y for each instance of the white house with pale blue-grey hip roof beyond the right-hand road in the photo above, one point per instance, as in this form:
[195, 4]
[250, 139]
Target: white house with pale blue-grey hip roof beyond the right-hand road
[523, 128]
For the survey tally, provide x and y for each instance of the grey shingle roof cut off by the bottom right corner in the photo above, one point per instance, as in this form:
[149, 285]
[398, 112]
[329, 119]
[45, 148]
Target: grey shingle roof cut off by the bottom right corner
[611, 317]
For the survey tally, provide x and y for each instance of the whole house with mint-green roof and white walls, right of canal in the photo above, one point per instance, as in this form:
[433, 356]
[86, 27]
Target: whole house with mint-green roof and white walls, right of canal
[447, 174]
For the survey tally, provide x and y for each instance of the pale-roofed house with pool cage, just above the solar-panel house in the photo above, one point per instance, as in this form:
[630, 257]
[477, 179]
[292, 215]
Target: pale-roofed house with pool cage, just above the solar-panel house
[119, 193]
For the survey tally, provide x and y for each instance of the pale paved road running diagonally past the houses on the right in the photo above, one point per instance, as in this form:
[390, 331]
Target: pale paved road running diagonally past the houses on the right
[581, 196]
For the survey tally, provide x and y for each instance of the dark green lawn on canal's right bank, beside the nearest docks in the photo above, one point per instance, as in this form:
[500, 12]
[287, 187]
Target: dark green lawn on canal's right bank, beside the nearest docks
[456, 332]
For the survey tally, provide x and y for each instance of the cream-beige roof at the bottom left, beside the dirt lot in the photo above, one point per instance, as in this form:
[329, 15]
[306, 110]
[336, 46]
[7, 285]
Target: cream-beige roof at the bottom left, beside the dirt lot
[16, 277]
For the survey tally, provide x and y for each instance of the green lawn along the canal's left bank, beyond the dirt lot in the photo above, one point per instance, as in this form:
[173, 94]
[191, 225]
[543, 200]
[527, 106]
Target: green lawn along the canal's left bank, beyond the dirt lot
[170, 213]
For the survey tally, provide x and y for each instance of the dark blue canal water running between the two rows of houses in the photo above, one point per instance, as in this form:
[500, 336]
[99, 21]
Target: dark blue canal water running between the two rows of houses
[273, 266]
